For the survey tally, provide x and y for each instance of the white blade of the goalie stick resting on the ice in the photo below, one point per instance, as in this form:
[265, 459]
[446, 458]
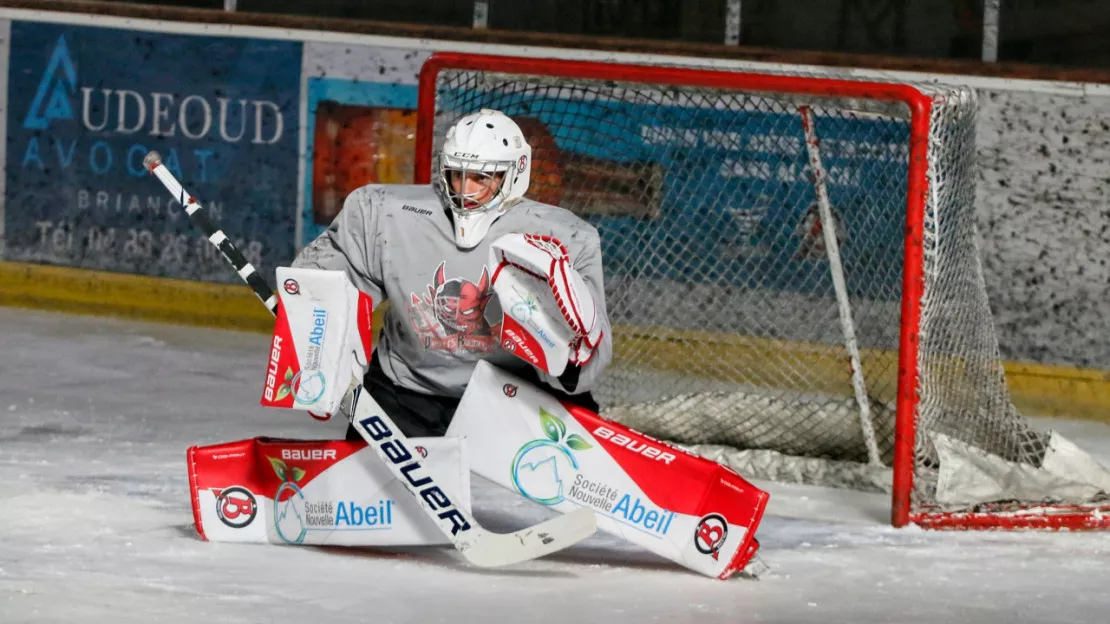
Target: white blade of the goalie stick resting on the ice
[495, 550]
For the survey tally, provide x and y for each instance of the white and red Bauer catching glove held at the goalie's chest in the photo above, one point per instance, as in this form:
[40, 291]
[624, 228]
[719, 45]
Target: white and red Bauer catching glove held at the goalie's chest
[549, 316]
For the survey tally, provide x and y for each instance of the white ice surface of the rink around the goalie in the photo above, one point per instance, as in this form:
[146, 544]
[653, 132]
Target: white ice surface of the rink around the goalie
[96, 524]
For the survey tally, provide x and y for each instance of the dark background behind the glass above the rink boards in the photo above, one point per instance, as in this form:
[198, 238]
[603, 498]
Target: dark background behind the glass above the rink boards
[1058, 33]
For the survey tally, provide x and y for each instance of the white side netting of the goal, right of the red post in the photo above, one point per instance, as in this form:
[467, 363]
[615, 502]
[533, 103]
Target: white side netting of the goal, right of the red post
[964, 394]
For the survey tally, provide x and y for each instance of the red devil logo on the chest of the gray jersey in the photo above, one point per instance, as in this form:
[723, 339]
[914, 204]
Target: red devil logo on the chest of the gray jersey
[450, 316]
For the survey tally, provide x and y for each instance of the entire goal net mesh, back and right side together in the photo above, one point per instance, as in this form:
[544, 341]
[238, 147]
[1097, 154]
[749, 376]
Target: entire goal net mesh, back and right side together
[726, 326]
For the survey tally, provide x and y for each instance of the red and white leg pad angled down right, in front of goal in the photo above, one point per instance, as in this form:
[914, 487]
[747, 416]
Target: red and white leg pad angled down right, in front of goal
[677, 505]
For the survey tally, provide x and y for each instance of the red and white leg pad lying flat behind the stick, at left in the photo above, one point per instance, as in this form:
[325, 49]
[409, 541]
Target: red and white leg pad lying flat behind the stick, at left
[317, 492]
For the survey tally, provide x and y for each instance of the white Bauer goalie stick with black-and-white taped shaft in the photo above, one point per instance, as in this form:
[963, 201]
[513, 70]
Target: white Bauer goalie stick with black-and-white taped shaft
[478, 546]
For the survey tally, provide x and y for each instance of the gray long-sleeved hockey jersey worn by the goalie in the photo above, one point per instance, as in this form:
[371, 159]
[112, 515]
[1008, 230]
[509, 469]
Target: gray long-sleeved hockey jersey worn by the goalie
[397, 244]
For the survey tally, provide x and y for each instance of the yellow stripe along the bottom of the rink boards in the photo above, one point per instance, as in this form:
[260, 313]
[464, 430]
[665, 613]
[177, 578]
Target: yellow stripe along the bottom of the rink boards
[1036, 389]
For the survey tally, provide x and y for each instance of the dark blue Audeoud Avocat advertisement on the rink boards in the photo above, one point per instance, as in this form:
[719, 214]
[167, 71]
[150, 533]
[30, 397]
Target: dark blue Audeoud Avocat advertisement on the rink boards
[86, 105]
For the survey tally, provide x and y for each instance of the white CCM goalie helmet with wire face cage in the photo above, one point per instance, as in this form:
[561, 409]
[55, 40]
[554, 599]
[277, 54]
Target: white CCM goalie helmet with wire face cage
[488, 147]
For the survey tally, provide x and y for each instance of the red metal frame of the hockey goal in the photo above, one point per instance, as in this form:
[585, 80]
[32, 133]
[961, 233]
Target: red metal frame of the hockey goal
[913, 281]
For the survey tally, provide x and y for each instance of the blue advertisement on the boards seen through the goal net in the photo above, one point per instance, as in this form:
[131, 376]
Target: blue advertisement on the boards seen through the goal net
[724, 195]
